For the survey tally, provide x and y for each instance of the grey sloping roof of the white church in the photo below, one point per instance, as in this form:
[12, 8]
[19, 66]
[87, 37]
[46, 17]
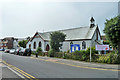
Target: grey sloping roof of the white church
[73, 34]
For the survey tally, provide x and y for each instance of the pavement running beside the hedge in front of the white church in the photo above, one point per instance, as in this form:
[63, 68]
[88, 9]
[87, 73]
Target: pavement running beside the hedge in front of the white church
[81, 63]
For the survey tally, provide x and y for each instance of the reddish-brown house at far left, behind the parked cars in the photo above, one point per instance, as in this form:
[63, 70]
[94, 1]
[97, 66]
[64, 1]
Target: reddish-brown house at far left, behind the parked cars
[8, 43]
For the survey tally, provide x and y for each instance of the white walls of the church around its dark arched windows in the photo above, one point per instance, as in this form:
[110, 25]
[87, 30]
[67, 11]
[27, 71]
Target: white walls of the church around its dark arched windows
[66, 44]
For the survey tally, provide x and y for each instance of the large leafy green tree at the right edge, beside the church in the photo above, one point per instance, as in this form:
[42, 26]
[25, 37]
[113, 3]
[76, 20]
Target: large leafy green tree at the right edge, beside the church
[112, 31]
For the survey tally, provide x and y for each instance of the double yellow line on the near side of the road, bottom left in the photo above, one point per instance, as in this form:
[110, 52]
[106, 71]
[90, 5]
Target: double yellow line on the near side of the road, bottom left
[26, 75]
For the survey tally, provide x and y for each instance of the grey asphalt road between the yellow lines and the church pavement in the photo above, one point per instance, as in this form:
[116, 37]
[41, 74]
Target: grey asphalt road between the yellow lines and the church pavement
[45, 69]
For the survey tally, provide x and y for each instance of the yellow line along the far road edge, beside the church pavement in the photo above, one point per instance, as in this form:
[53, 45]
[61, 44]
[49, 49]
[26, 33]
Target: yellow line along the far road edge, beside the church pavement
[77, 65]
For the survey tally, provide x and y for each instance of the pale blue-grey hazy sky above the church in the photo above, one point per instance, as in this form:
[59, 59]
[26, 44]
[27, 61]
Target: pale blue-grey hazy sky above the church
[24, 18]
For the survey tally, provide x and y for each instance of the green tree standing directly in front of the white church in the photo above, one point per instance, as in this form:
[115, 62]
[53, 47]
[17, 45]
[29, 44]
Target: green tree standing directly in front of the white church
[55, 39]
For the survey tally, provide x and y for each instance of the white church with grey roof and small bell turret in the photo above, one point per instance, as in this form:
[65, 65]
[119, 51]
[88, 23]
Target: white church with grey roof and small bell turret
[83, 36]
